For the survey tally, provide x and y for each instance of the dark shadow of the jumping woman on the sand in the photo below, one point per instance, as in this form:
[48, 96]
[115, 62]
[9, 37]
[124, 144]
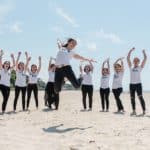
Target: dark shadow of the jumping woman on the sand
[54, 129]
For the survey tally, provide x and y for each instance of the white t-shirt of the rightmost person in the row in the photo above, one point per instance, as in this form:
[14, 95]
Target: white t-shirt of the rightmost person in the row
[135, 75]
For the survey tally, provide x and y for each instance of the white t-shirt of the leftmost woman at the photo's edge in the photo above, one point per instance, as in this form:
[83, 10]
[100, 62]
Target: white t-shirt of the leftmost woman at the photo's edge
[5, 77]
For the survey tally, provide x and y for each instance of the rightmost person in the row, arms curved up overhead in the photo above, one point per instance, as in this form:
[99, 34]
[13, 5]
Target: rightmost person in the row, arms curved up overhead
[135, 80]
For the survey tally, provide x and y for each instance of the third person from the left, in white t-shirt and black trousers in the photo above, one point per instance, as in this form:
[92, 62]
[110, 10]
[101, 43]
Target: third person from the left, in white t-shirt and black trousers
[32, 83]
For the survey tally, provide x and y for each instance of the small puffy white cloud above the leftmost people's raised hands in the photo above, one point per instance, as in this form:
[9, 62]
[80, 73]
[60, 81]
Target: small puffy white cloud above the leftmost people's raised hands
[16, 27]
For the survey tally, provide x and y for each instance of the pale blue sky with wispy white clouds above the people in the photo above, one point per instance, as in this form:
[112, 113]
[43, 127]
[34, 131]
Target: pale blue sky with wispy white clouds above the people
[103, 29]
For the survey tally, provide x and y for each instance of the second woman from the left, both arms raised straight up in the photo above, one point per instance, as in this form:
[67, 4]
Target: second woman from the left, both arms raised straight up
[21, 79]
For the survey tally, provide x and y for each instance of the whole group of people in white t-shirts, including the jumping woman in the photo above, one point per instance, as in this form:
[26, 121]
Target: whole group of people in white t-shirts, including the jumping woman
[61, 70]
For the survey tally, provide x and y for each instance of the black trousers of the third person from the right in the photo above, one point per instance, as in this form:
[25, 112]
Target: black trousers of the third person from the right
[104, 94]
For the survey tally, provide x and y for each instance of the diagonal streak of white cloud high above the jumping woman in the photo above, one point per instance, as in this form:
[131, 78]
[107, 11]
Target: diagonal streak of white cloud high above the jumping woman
[66, 16]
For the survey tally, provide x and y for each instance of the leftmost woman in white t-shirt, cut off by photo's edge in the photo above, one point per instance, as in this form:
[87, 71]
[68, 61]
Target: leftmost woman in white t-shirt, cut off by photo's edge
[5, 75]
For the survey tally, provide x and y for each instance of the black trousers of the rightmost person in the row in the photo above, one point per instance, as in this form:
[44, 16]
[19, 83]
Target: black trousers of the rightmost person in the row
[137, 88]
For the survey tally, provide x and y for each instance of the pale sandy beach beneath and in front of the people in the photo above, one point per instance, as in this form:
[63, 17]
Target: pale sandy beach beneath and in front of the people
[70, 129]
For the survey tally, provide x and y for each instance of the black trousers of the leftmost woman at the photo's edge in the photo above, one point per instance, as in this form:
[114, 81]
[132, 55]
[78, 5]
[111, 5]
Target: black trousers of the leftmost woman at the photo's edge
[5, 90]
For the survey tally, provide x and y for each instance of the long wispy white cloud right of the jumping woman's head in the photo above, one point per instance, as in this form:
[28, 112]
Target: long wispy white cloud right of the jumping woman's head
[109, 36]
